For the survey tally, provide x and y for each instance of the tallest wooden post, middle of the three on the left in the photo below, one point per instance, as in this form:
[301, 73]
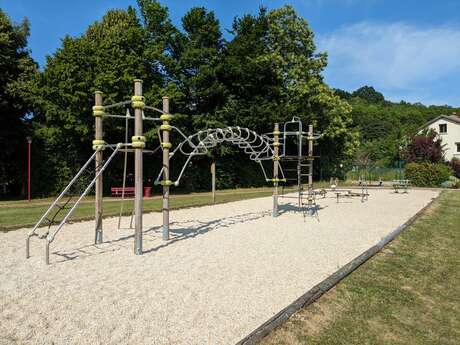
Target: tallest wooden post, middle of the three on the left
[138, 173]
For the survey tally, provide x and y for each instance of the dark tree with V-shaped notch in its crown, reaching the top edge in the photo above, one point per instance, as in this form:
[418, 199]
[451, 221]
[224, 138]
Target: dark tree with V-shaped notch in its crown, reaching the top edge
[187, 59]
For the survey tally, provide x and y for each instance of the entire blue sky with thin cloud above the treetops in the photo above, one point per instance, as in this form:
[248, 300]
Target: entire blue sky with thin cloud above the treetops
[406, 49]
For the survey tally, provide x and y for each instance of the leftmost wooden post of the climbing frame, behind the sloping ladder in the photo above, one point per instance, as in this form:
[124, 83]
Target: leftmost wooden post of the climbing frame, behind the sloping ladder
[99, 180]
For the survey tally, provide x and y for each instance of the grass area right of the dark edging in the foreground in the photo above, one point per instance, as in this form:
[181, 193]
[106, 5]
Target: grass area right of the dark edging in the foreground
[407, 294]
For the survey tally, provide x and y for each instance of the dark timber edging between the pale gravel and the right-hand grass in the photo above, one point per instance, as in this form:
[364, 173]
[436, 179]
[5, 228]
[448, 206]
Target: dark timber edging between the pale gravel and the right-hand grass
[318, 290]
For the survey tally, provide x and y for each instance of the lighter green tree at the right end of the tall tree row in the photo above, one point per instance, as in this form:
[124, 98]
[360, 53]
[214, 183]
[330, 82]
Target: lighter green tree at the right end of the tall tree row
[305, 93]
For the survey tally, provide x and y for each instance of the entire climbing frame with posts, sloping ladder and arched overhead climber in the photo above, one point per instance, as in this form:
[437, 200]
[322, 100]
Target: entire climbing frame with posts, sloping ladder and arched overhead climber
[258, 147]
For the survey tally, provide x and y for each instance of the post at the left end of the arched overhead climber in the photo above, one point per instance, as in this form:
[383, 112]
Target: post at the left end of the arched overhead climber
[165, 117]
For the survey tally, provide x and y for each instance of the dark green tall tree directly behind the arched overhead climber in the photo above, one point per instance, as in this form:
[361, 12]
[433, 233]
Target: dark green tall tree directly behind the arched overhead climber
[253, 88]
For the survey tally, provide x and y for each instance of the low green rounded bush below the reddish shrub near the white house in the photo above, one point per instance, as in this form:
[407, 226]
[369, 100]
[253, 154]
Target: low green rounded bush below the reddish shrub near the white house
[427, 174]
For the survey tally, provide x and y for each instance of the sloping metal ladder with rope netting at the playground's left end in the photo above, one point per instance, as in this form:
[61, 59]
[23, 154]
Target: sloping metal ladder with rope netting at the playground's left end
[67, 196]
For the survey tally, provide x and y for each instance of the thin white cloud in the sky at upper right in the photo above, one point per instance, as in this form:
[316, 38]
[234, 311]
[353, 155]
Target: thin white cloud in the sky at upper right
[397, 58]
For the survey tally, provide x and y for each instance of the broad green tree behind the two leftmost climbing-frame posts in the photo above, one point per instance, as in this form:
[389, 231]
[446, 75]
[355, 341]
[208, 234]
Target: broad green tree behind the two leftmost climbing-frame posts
[107, 57]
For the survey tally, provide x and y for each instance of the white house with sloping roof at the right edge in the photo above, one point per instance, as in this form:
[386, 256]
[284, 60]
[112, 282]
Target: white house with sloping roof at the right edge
[448, 128]
